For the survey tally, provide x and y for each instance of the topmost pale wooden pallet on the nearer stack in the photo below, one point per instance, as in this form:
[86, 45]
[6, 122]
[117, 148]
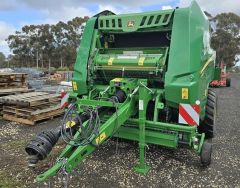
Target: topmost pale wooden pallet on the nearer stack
[30, 99]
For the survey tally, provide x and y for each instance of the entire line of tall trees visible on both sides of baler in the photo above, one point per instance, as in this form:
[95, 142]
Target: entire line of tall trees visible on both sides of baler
[55, 45]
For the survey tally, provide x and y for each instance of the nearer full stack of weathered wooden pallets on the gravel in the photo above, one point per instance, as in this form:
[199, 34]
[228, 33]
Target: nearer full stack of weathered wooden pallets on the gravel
[29, 108]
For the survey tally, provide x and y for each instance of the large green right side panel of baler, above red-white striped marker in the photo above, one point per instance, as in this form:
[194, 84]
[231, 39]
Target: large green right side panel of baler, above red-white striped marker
[189, 51]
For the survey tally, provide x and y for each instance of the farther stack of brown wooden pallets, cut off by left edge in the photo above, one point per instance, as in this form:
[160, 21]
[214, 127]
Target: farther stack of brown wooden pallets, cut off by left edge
[11, 83]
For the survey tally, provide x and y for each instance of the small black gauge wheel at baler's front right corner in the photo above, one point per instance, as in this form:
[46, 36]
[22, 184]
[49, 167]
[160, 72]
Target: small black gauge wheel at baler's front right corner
[206, 153]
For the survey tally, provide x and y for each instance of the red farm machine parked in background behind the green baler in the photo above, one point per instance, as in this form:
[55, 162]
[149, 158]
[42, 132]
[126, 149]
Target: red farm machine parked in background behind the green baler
[222, 78]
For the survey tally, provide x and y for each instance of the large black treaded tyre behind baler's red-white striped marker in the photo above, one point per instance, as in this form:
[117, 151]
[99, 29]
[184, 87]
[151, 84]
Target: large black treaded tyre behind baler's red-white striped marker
[207, 125]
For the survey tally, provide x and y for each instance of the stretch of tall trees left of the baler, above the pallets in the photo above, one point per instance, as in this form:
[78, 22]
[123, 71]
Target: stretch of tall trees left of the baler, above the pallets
[46, 45]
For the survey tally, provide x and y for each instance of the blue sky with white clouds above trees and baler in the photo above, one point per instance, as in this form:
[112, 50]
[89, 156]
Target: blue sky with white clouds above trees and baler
[16, 13]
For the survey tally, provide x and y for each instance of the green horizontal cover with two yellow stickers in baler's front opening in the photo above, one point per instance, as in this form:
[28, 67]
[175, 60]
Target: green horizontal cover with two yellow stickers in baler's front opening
[128, 60]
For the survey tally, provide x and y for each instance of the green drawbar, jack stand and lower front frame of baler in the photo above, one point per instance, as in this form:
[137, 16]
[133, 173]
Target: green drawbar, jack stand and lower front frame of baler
[122, 125]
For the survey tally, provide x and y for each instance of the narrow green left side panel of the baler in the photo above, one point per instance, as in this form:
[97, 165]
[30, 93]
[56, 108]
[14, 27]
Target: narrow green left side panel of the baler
[80, 67]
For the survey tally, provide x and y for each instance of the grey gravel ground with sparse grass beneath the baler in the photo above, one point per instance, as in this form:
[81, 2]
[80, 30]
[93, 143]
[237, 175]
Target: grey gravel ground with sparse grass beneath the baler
[110, 168]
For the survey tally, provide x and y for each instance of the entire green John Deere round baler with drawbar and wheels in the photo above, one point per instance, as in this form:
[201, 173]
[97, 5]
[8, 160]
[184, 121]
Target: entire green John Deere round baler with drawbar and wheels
[142, 77]
